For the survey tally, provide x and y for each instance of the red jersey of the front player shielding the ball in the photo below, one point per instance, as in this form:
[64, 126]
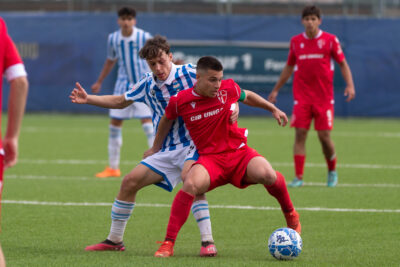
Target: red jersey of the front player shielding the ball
[207, 119]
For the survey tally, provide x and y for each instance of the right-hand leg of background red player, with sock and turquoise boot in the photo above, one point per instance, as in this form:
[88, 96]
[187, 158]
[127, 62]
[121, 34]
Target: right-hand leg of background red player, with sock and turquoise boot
[328, 148]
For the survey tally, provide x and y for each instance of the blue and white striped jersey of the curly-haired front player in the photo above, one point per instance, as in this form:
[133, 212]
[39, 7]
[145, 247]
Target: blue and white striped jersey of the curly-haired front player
[156, 95]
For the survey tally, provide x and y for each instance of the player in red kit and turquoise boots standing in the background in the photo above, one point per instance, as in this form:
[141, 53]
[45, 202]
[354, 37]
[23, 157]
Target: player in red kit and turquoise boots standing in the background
[311, 58]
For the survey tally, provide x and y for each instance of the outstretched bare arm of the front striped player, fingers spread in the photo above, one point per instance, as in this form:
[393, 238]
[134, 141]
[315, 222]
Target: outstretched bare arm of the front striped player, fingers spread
[79, 96]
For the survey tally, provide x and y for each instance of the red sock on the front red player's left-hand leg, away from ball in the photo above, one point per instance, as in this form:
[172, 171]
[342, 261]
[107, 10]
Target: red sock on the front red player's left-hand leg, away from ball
[179, 213]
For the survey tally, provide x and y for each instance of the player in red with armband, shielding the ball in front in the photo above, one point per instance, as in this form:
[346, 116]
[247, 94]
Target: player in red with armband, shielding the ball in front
[222, 146]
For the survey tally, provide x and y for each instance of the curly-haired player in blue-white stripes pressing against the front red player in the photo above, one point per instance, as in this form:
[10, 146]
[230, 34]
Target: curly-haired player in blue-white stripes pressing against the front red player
[178, 152]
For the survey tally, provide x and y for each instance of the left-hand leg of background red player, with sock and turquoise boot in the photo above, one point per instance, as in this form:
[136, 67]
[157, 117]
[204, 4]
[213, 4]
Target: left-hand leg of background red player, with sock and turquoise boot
[299, 155]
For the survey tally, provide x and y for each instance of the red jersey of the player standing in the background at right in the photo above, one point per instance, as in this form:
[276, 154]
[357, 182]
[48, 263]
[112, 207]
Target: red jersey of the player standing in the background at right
[314, 66]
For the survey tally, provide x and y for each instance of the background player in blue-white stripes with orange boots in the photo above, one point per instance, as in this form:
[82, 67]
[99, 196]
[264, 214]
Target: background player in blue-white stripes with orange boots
[123, 46]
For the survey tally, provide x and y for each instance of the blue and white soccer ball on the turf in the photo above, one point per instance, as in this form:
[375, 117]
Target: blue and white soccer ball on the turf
[285, 244]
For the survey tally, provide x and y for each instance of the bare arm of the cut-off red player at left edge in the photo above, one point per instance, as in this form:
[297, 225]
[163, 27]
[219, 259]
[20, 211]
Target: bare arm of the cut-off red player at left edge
[16, 108]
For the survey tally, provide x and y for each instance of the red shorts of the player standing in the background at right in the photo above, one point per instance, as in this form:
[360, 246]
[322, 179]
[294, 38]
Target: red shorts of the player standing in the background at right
[322, 113]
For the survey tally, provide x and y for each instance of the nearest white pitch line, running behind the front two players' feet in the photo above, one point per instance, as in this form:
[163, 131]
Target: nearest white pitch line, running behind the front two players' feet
[96, 204]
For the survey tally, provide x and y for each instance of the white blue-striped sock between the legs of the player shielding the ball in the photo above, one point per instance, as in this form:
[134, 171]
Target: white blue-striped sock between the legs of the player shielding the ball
[202, 215]
